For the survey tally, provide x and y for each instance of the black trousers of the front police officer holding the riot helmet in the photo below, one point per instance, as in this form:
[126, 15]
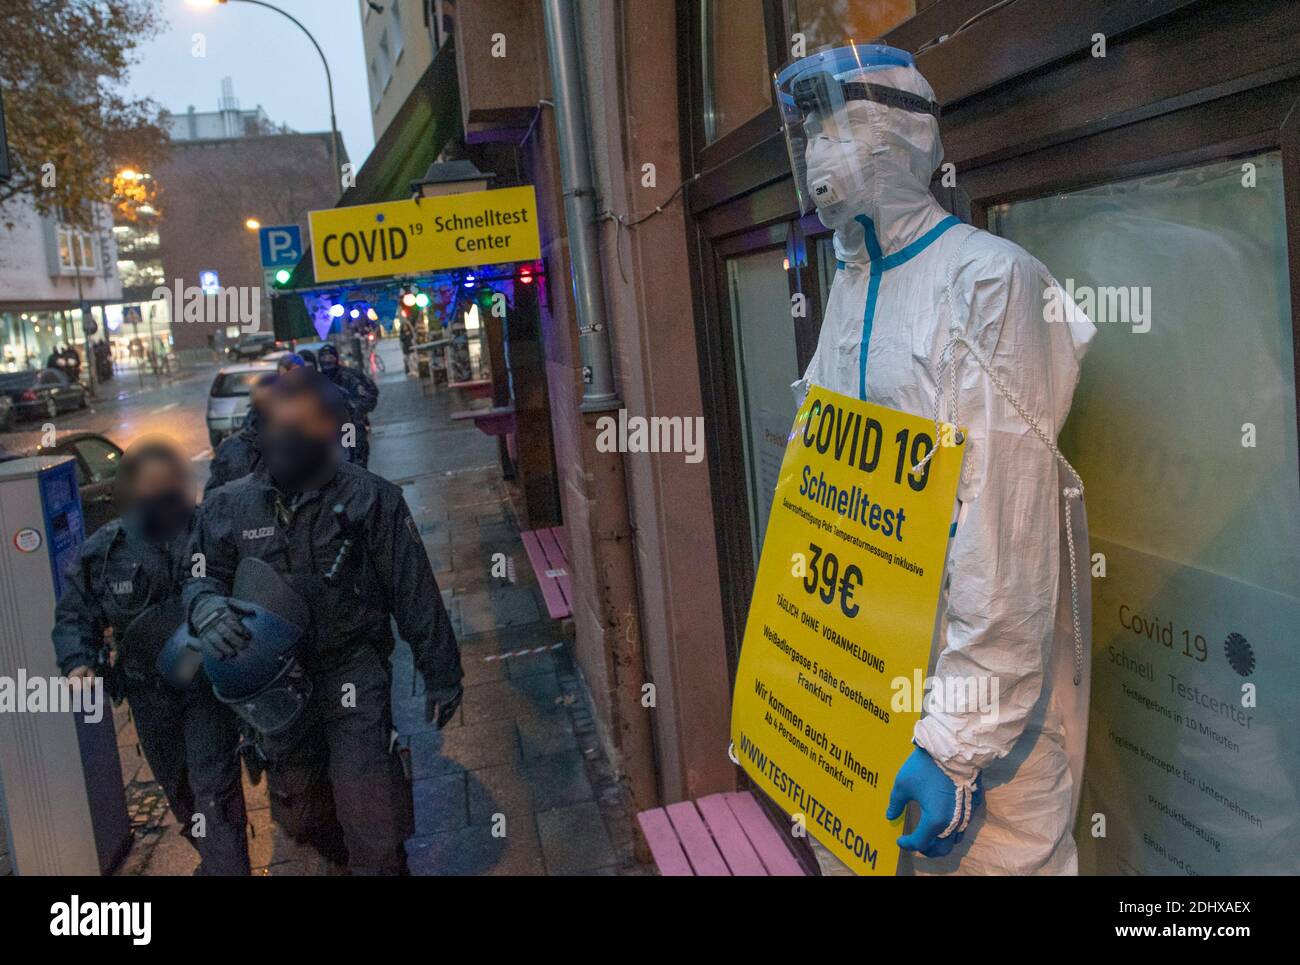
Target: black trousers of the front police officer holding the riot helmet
[336, 764]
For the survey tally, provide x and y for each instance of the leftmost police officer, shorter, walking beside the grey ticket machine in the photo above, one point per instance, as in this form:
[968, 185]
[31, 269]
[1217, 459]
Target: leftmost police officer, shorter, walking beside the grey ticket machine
[124, 583]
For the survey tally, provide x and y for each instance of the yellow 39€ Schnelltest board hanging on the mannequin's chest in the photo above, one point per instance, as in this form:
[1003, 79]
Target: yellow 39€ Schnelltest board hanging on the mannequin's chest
[842, 620]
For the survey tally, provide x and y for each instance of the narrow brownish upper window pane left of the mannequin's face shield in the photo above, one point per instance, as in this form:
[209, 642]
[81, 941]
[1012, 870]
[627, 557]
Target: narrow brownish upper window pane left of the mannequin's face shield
[736, 84]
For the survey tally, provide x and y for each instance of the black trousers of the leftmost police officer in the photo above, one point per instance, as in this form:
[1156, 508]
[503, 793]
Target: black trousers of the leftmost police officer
[192, 741]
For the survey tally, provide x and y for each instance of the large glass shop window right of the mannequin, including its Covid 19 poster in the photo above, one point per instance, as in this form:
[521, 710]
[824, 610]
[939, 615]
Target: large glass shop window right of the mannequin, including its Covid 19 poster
[1184, 429]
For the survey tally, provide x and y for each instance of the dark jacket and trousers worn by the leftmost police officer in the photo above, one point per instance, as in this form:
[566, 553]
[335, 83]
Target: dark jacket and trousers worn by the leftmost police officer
[189, 738]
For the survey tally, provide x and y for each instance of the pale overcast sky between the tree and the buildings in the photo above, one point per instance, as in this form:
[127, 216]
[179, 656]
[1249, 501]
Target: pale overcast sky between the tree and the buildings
[270, 60]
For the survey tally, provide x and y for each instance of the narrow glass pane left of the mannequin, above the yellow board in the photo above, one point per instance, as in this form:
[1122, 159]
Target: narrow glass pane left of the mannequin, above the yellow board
[766, 366]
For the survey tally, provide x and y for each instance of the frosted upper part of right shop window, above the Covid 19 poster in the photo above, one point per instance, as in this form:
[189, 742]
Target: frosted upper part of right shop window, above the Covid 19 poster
[1186, 276]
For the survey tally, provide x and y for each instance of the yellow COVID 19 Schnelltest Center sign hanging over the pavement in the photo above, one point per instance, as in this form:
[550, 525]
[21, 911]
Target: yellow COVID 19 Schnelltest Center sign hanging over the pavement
[456, 231]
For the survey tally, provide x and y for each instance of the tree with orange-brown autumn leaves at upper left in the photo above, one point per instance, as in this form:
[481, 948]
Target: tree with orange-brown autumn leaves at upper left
[72, 126]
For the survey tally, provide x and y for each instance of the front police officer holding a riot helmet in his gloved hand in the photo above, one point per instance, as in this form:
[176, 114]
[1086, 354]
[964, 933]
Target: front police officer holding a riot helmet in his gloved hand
[345, 542]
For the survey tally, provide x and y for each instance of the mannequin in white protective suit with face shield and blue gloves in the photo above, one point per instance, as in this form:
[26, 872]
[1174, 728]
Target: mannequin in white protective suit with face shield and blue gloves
[921, 306]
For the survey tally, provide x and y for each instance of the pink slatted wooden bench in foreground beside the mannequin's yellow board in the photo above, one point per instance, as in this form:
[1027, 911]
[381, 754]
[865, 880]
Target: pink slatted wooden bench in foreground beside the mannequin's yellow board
[718, 836]
